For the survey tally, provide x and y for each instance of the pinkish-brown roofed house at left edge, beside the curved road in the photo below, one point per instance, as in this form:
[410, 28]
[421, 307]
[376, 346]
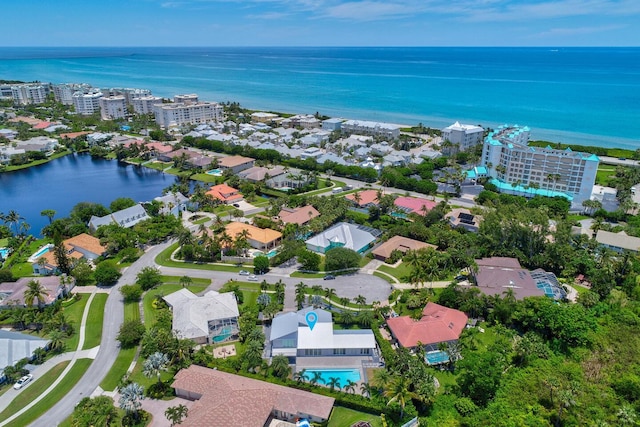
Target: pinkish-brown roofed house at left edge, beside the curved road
[12, 293]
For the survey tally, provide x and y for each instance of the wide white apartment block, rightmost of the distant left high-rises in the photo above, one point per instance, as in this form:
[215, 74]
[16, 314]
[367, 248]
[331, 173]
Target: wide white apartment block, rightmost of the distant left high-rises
[177, 114]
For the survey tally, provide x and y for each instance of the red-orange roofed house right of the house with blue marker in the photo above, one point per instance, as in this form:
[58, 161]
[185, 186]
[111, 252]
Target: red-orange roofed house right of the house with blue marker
[438, 324]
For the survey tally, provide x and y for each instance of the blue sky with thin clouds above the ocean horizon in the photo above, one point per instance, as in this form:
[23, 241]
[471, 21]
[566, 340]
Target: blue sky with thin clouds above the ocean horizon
[321, 23]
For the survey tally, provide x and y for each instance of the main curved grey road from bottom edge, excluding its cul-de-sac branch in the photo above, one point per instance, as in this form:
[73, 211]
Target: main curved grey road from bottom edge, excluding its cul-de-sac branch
[109, 347]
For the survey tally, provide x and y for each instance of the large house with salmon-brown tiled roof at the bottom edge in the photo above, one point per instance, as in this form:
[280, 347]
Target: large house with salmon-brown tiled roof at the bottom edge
[226, 400]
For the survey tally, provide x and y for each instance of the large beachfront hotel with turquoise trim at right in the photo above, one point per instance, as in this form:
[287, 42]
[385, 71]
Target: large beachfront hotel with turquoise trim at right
[516, 168]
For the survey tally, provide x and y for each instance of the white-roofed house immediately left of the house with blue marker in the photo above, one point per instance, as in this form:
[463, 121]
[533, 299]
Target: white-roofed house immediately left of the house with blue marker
[196, 317]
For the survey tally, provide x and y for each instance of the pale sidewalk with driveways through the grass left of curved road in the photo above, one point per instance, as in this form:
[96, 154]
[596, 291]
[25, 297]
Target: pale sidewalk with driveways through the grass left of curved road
[11, 394]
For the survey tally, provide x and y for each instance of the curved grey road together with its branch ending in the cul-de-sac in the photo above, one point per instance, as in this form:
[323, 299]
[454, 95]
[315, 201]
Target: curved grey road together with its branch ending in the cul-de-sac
[372, 287]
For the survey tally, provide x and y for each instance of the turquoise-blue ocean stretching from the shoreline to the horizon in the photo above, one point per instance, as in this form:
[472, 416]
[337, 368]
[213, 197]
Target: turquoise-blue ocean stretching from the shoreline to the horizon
[586, 96]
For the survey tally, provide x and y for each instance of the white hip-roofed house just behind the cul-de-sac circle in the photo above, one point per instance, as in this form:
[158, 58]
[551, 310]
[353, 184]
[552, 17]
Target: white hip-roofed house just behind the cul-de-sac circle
[342, 234]
